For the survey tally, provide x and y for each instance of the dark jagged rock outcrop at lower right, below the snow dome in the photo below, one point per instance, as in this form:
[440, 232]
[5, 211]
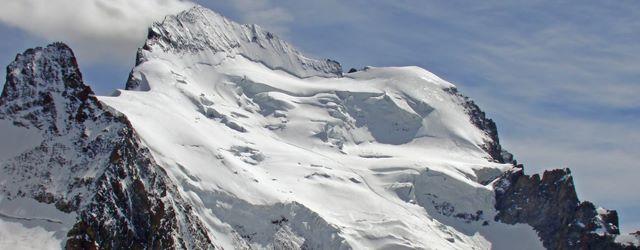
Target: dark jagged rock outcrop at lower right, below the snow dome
[550, 205]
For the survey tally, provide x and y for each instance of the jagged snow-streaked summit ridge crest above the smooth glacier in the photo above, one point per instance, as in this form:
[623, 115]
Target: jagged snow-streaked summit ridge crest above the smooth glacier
[200, 29]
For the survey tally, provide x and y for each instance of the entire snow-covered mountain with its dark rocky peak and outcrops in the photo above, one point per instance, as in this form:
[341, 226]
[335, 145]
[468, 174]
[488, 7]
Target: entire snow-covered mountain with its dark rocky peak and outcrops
[228, 137]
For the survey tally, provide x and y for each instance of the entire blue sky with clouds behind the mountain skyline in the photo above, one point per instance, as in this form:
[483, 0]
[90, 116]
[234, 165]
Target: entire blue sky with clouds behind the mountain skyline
[561, 78]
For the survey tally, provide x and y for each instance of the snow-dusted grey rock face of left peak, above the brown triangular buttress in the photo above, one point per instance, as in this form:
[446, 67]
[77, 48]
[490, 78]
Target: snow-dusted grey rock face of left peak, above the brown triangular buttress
[44, 91]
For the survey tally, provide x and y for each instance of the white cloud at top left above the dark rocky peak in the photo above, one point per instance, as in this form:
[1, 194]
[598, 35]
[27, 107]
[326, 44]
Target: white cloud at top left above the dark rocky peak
[98, 30]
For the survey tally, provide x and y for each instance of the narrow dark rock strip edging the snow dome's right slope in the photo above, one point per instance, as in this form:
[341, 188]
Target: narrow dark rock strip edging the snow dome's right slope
[480, 120]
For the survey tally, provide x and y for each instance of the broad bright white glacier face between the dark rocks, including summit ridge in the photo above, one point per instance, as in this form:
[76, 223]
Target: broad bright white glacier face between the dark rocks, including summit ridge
[270, 157]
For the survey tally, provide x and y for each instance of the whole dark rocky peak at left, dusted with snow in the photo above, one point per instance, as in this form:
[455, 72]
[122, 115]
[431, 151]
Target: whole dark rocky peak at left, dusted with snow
[90, 164]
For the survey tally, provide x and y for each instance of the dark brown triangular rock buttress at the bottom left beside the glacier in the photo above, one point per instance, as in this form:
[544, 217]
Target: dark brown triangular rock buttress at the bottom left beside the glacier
[135, 199]
